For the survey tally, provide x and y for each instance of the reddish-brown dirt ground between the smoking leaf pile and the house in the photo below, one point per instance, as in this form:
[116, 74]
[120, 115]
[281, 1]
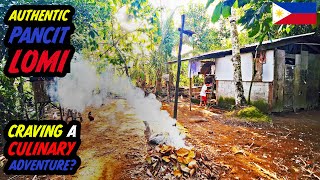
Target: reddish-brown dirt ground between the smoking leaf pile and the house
[287, 149]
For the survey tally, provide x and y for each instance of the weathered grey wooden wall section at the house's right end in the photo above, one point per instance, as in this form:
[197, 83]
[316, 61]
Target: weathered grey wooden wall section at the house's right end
[306, 82]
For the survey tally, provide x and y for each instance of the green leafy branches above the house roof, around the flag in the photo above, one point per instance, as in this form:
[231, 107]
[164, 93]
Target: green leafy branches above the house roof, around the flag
[256, 17]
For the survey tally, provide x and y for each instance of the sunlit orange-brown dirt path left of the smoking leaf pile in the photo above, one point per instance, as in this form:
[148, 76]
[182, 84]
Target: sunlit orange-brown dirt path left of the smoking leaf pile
[113, 146]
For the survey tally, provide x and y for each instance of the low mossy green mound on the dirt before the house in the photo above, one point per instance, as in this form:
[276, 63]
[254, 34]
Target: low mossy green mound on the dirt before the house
[252, 113]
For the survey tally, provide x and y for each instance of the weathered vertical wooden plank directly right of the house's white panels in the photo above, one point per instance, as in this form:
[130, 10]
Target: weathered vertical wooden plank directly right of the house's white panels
[279, 65]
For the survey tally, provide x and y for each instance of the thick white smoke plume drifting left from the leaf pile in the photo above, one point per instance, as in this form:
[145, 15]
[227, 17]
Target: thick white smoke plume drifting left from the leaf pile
[84, 87]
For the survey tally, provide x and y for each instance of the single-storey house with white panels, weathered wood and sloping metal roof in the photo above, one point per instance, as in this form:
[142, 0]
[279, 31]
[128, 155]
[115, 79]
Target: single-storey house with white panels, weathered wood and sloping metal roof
[288, 72]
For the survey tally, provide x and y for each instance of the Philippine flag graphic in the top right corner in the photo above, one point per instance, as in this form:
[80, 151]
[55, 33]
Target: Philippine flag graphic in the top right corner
[294, 13]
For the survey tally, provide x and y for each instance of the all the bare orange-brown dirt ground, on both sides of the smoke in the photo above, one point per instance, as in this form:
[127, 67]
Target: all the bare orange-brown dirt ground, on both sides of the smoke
[114, 145]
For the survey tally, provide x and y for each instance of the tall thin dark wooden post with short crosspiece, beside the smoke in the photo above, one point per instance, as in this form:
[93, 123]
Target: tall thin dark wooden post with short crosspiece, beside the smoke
[175, 111]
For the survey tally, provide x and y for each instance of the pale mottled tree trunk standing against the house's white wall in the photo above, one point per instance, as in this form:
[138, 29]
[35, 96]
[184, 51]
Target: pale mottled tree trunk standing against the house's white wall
[240, 100]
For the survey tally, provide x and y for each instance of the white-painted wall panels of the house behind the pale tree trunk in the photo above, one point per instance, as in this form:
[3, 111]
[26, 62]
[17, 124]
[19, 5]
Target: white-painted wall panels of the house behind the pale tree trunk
[224, 77]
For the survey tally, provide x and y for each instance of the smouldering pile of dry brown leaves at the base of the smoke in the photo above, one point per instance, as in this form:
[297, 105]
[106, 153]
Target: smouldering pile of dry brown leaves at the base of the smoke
[166, 162]
